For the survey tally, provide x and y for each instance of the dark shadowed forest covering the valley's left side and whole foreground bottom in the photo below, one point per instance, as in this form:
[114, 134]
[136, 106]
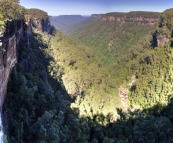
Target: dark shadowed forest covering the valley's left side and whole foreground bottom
[37, 110]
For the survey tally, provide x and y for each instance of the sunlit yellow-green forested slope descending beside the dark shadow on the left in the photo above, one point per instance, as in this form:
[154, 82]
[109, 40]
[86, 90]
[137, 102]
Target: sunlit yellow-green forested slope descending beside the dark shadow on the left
[78, 69]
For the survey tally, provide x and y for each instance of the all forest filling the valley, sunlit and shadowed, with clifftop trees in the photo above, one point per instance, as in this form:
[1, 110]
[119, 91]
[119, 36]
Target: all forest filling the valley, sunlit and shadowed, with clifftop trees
[108, 82]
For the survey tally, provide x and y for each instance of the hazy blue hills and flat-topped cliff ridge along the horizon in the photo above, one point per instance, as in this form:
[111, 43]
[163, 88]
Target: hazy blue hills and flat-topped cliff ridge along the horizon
[69, 24]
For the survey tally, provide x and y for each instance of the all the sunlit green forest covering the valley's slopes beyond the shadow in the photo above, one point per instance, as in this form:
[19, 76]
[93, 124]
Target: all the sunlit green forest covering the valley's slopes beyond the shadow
[115, 70]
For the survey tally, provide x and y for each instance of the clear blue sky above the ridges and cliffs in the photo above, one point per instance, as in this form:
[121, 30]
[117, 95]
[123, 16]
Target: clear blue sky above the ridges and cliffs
[88, 7]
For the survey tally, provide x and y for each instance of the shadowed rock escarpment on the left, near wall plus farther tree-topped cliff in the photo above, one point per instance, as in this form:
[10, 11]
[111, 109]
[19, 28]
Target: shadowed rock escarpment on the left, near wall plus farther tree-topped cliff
[16, 31]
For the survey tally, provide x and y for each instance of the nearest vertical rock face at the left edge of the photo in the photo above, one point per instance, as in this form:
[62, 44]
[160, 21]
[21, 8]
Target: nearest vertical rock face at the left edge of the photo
[14, 33]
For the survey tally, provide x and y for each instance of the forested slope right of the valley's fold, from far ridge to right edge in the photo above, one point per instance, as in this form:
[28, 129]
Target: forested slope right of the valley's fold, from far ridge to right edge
[126, 50]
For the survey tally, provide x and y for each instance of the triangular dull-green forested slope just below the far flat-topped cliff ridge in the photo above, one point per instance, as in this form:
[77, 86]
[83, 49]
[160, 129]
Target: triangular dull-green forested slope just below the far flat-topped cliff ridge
[109, 38]
